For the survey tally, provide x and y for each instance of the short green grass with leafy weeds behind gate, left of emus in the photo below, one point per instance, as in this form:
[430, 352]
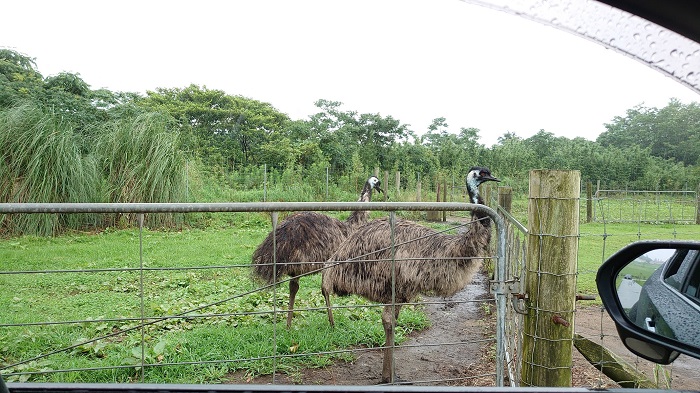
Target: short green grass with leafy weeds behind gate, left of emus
[238, 325]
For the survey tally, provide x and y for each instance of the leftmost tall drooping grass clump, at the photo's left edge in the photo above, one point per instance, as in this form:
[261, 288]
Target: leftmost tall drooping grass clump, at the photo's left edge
[41, 161]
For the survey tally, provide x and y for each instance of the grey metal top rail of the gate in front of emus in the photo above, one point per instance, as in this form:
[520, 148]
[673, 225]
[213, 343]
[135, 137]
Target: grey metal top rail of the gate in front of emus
[15, 208]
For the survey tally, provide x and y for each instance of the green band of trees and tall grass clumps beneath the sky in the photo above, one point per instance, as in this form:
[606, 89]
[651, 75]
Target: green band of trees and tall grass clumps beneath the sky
[128, 147]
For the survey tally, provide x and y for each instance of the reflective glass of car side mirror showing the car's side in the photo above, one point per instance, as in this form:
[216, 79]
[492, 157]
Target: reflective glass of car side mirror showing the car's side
[659, 292]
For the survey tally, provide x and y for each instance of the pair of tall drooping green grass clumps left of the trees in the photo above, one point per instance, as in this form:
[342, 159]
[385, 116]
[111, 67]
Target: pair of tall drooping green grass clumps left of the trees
[44, 159]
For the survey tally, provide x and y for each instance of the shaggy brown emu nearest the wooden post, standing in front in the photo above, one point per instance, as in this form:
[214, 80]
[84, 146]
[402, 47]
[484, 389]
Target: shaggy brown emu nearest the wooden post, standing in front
[425, 262]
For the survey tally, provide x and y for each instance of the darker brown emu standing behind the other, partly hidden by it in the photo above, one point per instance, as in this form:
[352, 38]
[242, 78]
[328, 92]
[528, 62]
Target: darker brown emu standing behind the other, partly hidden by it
[305, 240]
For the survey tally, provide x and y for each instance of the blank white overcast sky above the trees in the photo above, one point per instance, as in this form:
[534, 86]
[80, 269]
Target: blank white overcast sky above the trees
[409, 59]
